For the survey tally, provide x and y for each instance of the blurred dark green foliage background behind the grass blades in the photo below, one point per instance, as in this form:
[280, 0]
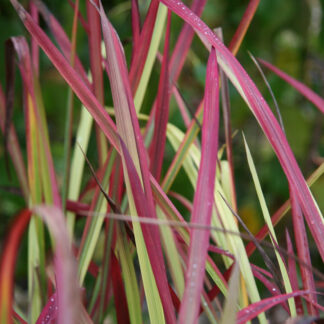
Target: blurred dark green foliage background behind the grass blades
[289, 34]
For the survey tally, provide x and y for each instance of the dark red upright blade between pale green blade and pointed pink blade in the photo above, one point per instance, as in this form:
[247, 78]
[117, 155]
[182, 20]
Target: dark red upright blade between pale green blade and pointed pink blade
[156, 151]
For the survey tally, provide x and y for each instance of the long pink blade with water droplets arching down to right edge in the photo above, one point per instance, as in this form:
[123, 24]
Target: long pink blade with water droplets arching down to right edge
[265, 117]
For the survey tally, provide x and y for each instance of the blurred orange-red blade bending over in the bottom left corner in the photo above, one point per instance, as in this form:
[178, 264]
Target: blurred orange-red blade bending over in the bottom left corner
[7, 265]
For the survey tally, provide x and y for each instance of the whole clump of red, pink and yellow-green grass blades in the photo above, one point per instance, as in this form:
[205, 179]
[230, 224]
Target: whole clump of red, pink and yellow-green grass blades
[154, 255]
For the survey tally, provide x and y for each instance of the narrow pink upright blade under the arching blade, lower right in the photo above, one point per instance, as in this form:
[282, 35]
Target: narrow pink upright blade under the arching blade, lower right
[303, 252]
